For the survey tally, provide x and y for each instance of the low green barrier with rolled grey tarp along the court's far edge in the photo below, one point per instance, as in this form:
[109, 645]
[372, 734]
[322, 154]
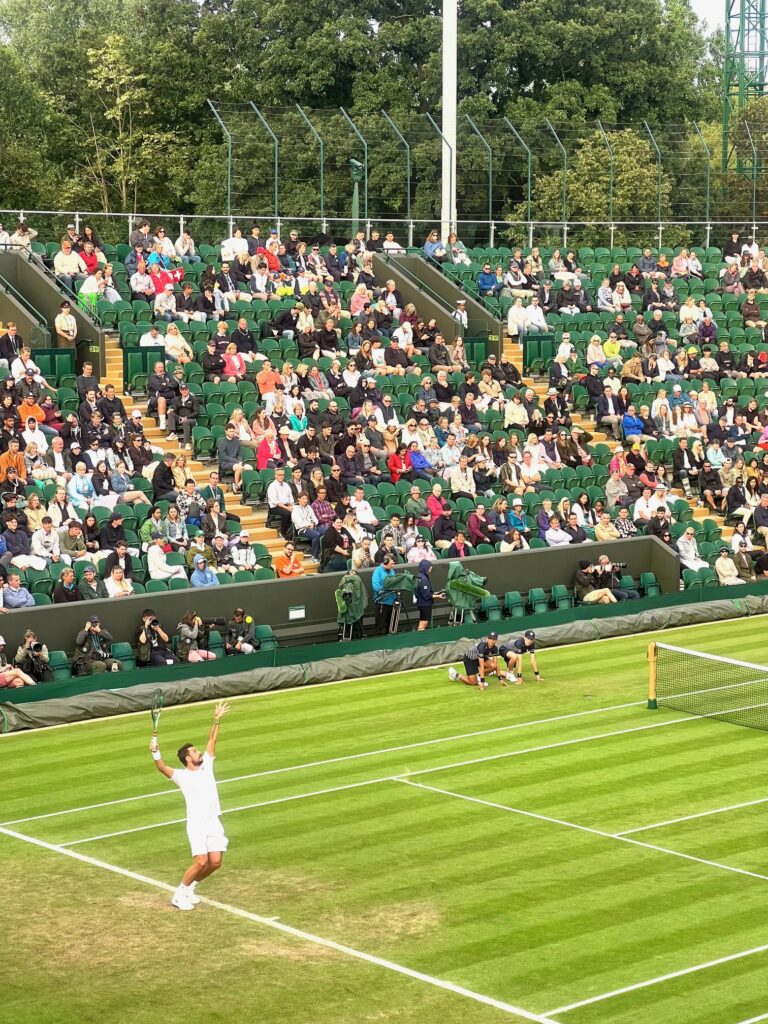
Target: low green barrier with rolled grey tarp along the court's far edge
[55, 704]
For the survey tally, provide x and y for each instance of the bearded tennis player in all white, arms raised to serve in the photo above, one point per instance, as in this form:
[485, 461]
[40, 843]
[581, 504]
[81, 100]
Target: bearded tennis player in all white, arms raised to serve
[204, 828]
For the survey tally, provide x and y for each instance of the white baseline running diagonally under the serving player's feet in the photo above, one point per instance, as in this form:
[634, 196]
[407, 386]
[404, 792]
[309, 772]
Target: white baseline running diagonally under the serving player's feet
[294, 932]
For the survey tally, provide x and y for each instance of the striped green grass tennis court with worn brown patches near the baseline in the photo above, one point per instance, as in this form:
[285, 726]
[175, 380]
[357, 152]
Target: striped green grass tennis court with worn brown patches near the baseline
[524, 847]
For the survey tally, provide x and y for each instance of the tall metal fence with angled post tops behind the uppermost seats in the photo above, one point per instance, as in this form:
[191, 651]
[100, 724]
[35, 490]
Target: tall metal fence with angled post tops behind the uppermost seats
[595, 184]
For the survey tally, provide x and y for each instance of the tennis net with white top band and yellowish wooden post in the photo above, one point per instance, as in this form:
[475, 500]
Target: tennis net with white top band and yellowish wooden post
[708, 686]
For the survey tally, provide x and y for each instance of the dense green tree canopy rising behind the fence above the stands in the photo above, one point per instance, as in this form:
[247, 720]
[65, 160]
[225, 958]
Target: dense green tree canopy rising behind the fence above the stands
[105, 103]
